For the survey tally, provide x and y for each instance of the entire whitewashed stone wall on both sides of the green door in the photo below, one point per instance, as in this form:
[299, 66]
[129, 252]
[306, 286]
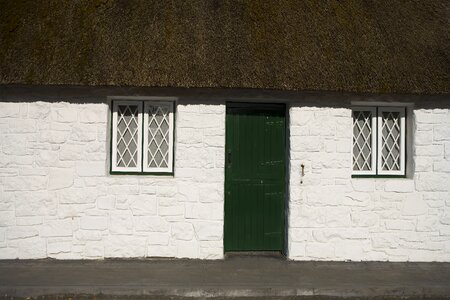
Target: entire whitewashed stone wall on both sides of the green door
[58, 200]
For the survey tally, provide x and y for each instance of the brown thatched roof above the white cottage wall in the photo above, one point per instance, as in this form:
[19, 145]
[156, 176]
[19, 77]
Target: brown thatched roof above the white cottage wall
[361, 46]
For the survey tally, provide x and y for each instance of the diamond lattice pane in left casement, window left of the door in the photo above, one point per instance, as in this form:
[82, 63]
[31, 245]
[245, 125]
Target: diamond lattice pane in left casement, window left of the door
[127, 136]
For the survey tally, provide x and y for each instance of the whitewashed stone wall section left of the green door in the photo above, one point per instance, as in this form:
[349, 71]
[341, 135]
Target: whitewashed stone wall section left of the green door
[58, 200]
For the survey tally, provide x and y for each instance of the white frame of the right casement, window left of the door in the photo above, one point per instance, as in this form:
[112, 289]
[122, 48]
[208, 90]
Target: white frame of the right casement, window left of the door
[169, 168]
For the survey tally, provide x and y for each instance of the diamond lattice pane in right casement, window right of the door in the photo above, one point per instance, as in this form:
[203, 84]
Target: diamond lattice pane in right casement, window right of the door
[390, 141]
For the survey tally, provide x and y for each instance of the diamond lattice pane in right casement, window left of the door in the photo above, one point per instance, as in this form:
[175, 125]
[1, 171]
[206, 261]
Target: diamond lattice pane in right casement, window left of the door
[159, 136]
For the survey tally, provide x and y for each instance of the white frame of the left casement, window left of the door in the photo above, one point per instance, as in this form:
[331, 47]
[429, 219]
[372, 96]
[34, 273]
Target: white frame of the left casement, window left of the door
[114, 166]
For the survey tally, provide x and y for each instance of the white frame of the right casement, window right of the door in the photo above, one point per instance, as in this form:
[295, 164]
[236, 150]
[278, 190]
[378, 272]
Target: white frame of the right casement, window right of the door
[400, 110]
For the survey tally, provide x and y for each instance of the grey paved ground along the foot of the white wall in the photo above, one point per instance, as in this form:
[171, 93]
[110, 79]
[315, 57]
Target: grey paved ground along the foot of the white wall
[254, 277]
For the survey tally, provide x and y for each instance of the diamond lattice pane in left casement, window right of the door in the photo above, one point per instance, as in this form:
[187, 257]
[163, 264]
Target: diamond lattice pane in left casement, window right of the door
[362, 141]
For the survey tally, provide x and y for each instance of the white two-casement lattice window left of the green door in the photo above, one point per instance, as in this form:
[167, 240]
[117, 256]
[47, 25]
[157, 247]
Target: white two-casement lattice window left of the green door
[142, 137]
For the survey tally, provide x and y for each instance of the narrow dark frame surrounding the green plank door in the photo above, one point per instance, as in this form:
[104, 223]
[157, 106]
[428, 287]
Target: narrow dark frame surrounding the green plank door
[287, 164]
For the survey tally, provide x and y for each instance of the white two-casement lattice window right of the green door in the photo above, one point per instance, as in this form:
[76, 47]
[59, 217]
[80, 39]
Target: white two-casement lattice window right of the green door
[379, 135]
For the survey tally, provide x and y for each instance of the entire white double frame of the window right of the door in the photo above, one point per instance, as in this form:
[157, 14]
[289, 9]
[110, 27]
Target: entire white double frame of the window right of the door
[377, 111]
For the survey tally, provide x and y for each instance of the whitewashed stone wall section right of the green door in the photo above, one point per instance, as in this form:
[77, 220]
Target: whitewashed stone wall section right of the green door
[335, 217]
